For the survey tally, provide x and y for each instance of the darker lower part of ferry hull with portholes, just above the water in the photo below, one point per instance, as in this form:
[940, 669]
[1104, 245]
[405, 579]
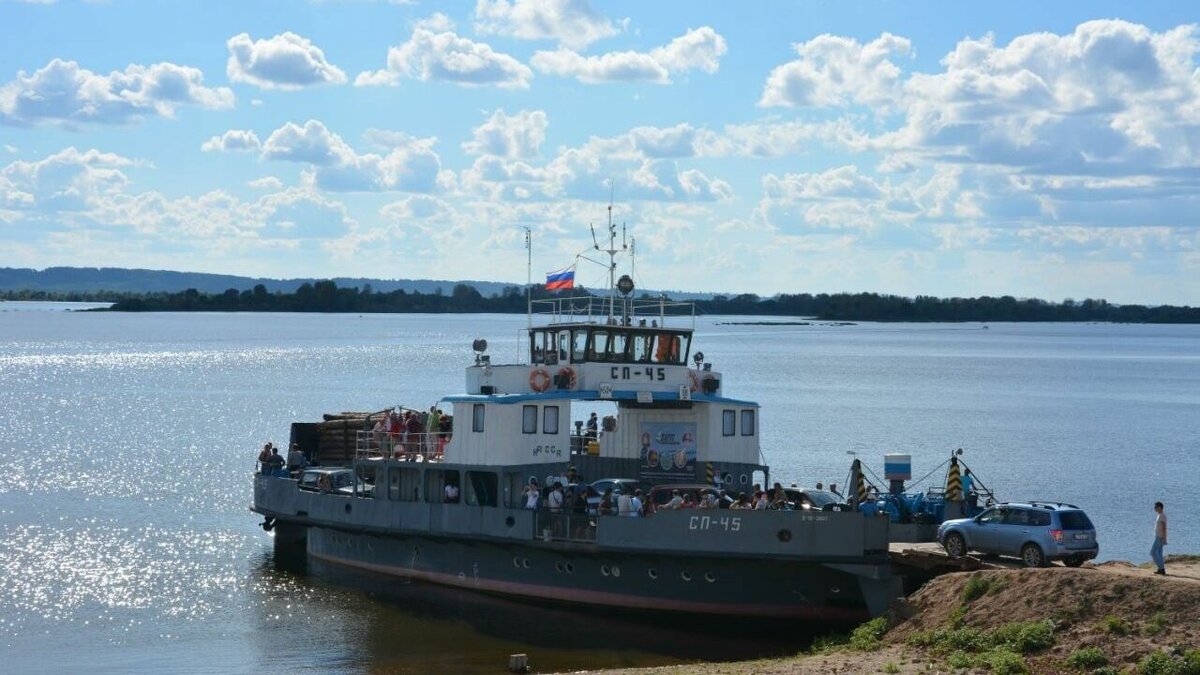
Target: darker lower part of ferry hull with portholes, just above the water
[587, 576]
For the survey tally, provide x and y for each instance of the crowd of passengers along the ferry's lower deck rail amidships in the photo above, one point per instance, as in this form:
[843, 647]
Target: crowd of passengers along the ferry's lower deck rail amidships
[573, 498]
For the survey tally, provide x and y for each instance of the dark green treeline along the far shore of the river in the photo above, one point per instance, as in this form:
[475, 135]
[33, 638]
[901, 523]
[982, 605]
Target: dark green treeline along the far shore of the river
[328, 297]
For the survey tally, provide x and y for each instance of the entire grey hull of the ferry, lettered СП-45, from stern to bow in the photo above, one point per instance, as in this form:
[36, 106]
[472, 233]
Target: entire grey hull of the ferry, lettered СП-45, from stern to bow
[769, 565]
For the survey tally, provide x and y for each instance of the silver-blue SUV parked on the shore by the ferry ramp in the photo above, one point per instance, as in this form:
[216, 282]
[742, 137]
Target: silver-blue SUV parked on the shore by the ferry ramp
[1037, 533]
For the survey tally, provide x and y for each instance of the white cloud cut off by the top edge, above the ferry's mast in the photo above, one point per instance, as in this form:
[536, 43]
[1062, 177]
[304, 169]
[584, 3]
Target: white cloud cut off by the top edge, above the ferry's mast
[573, 23]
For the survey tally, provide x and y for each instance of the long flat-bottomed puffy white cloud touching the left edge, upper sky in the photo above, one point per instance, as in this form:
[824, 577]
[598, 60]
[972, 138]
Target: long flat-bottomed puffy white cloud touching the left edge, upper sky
[64, 93]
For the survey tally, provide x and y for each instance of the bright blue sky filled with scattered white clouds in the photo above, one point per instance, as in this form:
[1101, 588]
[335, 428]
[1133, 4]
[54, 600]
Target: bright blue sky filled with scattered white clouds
[1034, 150]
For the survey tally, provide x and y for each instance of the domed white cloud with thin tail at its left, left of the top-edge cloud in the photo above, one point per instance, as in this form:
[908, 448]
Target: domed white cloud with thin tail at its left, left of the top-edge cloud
[447, 57]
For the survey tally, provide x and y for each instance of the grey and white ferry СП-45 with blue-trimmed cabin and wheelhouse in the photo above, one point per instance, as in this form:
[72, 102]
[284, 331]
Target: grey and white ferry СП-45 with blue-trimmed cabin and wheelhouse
[674, 426]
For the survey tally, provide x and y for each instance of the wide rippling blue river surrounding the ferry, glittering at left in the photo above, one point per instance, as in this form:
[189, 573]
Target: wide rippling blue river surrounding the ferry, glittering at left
[128, 445]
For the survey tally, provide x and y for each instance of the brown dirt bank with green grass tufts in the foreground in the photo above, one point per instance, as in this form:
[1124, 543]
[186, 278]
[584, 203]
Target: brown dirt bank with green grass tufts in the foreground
[1112, 618]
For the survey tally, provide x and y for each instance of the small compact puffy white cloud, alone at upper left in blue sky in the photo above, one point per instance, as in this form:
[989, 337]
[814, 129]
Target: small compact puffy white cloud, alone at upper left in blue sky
[285, 62]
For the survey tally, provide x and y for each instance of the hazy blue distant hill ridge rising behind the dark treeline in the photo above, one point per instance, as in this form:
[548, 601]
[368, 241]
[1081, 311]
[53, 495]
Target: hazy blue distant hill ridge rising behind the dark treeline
[122, 280]
